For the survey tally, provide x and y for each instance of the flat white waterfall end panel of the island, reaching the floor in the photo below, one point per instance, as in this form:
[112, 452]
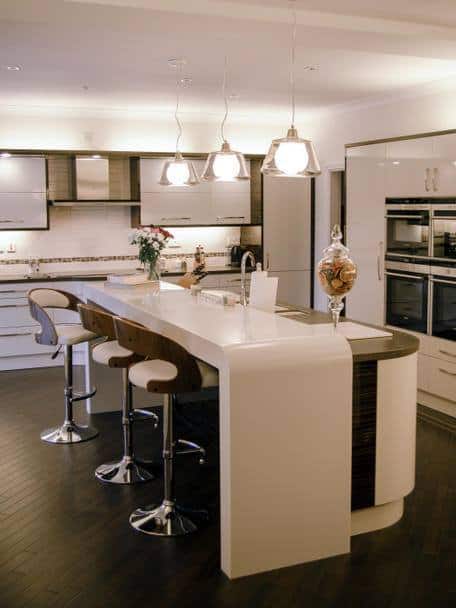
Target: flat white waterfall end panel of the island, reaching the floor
[285, 450]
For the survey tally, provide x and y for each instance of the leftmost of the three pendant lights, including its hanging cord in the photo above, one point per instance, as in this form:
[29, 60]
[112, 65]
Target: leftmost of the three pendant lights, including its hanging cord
[178, 171]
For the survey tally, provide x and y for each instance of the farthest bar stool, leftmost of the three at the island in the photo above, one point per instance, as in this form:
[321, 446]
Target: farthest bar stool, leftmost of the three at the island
[66, 336]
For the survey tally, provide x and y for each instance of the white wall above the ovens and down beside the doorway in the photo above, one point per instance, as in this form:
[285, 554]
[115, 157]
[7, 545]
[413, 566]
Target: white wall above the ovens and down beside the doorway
[431, 112]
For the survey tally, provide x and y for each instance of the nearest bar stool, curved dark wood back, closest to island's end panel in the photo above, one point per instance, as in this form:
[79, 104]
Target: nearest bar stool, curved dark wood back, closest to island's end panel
[169, 370]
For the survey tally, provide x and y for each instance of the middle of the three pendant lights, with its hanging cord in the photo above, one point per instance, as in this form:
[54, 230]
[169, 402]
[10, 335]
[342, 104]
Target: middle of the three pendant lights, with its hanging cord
[226, 165]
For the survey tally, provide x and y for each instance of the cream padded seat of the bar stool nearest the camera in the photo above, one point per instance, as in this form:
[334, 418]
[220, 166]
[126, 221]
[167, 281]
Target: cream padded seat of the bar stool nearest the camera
[146, 372]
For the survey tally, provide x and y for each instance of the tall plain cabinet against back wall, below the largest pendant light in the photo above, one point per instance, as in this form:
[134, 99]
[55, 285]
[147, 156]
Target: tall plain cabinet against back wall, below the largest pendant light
[287, 236]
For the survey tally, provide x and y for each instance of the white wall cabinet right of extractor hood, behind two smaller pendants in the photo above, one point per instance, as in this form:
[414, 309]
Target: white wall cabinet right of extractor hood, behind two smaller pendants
[204, 203]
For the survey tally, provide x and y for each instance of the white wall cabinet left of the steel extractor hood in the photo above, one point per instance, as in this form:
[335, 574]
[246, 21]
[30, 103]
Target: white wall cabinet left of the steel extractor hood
[23, 201]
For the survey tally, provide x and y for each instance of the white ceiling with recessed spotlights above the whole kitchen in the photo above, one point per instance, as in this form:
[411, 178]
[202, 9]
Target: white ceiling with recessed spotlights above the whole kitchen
[365, 50]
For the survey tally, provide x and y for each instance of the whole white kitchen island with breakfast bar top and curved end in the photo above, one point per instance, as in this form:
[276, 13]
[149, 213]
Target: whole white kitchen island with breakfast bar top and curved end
[317, 430]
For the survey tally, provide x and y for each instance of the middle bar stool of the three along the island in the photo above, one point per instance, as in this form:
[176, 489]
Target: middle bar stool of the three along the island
[127, 470]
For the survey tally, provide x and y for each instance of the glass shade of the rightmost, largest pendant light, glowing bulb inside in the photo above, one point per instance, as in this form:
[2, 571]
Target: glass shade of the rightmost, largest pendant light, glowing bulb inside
[291, 156]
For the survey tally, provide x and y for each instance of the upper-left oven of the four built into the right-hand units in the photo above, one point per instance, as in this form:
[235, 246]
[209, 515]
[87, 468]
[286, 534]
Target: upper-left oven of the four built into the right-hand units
[407, 230]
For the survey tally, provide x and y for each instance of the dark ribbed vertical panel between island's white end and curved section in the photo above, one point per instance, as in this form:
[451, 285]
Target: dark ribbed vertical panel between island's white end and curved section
[364, 434]
